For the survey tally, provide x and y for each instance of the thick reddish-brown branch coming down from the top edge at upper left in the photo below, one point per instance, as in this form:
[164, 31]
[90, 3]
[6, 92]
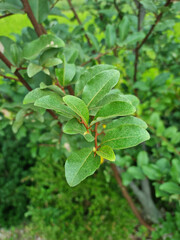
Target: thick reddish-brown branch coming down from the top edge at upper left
[38, 27]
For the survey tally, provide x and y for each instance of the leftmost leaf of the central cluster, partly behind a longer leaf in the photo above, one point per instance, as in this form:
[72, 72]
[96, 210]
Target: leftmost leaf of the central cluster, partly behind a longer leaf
[33, 95]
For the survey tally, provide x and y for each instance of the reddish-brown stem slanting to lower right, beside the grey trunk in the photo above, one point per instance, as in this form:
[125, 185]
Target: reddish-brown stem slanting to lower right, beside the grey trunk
[128, 197]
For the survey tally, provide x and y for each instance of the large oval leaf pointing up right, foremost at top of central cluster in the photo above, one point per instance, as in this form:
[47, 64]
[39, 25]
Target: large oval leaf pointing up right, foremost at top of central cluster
[99, 86]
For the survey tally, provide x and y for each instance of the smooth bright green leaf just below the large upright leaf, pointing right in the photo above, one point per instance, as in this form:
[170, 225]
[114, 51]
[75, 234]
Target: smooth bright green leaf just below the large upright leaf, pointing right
[114, 109]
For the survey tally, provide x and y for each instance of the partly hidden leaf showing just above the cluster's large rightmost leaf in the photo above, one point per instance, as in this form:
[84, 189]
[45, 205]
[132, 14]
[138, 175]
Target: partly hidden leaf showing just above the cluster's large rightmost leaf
[130, 120]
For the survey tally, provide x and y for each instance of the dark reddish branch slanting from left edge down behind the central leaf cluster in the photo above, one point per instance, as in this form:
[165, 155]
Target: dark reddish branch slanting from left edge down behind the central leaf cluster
[23, 81]
